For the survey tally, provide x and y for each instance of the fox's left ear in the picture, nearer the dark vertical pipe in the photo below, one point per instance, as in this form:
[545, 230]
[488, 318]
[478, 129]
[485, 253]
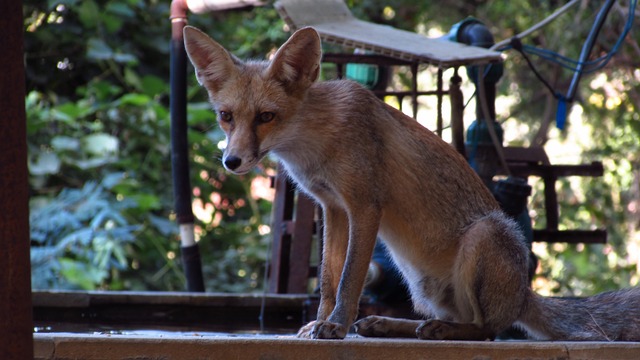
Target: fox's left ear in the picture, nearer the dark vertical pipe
[213, 64]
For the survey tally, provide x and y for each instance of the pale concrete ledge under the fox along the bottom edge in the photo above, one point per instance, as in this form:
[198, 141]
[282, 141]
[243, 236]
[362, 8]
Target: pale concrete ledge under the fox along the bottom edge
[195, 346]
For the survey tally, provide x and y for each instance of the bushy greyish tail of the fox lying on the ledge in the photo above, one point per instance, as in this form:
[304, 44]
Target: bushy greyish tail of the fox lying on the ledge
[611, 316]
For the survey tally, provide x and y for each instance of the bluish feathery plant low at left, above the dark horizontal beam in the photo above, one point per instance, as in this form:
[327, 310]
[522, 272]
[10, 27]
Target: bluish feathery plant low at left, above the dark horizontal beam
[81, 237]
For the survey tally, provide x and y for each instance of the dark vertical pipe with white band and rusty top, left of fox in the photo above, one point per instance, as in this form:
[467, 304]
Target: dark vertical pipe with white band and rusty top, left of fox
[180, 150]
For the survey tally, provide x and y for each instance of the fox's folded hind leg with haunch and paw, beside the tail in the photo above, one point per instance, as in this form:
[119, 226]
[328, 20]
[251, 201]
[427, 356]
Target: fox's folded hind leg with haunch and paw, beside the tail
[489, 283]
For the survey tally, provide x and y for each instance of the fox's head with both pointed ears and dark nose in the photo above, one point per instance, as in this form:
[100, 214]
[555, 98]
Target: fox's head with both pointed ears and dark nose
[254, 100]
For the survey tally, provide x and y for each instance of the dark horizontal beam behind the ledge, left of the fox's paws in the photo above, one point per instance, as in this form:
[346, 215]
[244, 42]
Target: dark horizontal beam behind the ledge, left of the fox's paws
[104, 311]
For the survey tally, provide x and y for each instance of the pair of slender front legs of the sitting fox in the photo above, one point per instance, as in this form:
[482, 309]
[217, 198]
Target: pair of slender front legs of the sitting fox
[362, 227]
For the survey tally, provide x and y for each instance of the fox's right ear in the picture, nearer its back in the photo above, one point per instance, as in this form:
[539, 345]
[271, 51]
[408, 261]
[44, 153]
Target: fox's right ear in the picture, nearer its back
[297, 63]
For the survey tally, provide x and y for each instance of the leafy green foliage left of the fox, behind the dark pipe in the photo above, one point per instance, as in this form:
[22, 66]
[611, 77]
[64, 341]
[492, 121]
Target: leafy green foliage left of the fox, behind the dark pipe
[97, 75]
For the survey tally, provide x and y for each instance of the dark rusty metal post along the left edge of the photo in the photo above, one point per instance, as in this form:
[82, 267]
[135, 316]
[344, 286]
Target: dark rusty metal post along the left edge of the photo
[16, 321]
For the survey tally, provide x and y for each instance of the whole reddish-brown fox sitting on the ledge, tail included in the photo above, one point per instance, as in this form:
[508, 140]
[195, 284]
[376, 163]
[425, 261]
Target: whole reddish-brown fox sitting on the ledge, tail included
[377, 172]
